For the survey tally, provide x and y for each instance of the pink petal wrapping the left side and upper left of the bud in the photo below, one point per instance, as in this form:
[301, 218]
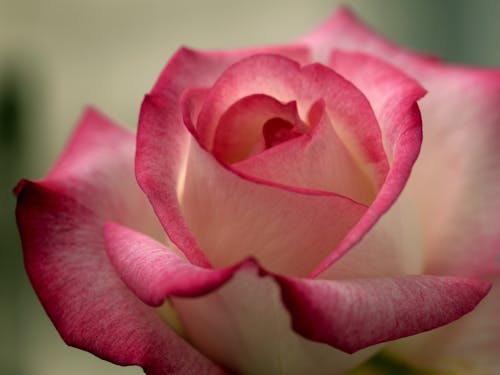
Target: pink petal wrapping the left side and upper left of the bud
[162, 143]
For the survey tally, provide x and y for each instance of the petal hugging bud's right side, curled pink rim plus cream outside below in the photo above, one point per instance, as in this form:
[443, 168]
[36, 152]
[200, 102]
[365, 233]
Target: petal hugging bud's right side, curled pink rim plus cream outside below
[387, 248]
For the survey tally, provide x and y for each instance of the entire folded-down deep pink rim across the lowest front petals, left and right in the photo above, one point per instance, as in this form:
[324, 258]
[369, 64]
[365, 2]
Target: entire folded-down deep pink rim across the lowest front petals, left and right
[346, 314]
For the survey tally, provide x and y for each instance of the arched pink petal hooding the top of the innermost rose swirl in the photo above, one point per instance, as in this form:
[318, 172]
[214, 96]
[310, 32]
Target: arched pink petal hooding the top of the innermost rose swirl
[286, 81]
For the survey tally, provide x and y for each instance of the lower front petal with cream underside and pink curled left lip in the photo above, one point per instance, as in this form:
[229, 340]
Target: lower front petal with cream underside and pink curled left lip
[251, 337]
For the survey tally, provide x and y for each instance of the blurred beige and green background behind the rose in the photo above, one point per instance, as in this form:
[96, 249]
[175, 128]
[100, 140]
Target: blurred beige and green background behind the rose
[56, 56]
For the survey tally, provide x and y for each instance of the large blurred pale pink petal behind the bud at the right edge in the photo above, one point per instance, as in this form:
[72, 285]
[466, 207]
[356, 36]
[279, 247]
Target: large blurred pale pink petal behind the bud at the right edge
[455, 180]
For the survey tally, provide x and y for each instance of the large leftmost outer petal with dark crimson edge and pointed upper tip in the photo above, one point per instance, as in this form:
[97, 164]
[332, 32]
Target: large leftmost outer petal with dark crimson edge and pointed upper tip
[60, 220]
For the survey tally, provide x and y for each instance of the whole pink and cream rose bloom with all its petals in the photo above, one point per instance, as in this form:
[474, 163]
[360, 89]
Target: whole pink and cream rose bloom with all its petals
[282, 210]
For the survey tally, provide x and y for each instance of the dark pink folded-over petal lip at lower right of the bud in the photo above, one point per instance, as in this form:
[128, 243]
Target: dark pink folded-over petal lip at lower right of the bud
[369, 311]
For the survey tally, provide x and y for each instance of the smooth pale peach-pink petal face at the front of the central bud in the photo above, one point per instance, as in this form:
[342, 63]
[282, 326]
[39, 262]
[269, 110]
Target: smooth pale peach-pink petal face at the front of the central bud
[225, 210]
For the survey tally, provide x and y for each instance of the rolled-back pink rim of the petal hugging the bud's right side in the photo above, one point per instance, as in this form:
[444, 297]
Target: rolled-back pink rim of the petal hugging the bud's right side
[393, 97]
